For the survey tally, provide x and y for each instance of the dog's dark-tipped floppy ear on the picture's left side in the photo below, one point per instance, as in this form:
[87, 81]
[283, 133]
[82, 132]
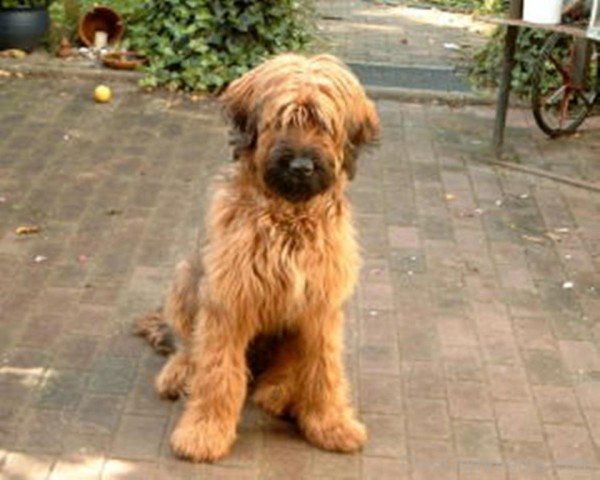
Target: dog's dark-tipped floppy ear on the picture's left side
[238, 102]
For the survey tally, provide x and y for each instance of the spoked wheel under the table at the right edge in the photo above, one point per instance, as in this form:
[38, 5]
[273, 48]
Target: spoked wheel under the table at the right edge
[562, 93]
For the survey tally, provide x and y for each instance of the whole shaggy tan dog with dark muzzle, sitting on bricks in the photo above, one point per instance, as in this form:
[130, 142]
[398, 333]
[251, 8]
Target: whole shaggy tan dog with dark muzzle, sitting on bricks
[280, 259]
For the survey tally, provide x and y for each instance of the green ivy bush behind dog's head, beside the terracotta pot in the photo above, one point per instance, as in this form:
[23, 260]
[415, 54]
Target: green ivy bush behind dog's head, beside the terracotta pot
[201, 45]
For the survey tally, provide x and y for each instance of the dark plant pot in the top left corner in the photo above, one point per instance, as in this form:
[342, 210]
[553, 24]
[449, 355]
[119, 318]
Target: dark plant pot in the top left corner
[23, 28]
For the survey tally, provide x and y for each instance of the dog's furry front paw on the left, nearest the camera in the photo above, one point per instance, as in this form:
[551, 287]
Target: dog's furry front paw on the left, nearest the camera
[203, 441]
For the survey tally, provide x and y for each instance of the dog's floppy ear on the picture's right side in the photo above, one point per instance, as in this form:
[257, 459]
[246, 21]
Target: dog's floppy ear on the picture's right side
[363, 129]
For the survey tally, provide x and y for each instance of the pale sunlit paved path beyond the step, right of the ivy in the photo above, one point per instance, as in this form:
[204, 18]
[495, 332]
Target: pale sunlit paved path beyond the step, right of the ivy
[403, 34]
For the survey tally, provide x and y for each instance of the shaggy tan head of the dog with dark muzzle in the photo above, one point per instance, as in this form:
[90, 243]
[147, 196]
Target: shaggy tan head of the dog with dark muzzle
[299, 123]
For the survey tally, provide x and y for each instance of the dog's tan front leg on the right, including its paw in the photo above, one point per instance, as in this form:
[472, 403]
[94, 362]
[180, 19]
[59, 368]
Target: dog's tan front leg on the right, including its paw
[322, 407]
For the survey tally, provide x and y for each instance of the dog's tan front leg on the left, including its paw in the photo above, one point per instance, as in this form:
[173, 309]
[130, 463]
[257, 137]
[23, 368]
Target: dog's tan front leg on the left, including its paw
[217, 388]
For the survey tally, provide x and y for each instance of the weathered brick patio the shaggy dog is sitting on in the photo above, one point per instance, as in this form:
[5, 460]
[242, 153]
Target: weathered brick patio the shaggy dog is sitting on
[469, 359]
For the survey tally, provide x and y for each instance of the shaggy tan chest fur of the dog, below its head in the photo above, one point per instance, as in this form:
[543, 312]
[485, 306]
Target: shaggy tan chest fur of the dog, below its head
[279, 264]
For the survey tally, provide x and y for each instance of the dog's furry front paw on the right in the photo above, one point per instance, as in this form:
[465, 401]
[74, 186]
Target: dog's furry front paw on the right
[338, 433]
